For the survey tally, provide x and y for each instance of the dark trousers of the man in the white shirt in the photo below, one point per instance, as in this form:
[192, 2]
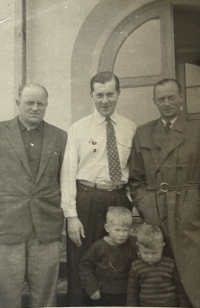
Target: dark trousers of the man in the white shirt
[92, 206]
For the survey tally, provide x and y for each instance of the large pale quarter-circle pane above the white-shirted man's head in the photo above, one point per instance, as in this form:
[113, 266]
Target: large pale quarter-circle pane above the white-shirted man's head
[140, 55]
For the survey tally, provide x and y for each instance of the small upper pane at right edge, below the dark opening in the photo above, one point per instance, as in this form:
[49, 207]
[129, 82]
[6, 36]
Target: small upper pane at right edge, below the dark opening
[192, 73]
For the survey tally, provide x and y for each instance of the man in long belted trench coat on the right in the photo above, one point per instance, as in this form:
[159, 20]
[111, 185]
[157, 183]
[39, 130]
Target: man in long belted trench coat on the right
[165, 181]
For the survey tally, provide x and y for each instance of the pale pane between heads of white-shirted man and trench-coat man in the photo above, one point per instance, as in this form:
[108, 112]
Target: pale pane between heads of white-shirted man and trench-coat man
[137, 105]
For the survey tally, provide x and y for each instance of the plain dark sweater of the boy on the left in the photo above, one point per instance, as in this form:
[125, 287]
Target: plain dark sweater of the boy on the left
[106, 267]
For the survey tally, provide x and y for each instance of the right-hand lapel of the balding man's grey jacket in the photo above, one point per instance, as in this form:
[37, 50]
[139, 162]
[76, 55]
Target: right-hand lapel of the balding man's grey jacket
[50, 138]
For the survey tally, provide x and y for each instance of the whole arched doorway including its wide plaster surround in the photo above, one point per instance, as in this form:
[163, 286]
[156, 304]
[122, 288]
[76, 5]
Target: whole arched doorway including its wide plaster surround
[140, 44]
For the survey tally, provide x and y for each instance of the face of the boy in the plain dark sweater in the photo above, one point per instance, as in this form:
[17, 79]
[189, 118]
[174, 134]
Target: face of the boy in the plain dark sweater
[118, 234]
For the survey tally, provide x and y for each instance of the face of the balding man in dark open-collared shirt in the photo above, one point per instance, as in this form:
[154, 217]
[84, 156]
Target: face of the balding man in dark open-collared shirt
[32, 106]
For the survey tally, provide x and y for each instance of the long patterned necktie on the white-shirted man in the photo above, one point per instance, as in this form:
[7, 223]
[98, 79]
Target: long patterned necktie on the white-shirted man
[113, 155]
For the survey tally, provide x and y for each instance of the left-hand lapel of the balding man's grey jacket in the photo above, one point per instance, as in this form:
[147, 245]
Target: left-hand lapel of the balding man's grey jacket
[14, 136]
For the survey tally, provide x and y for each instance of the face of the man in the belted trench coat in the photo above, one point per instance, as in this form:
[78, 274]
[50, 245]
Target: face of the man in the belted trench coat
[168, 100]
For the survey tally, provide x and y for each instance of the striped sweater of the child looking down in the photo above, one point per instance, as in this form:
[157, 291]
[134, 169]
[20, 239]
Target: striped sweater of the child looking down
[154, 284]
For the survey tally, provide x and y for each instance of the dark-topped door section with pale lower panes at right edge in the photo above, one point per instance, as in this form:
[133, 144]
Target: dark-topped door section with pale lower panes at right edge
[187, 55]
